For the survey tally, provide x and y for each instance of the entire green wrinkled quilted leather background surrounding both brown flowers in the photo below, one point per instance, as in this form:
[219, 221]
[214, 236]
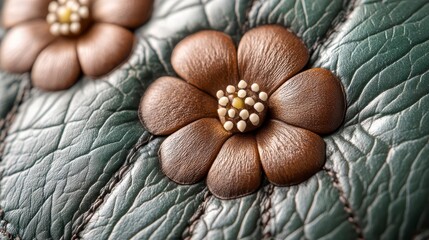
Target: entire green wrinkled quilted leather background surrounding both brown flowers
[79, 161]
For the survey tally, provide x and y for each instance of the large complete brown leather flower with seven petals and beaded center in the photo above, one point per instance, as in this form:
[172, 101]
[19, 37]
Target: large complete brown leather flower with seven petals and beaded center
[243, 112]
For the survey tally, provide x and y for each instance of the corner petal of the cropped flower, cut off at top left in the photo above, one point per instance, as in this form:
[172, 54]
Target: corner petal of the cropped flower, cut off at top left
[18, 11]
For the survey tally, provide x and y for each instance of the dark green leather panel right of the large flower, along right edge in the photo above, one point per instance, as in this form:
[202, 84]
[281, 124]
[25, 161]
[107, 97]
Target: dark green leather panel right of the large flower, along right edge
[381, 155]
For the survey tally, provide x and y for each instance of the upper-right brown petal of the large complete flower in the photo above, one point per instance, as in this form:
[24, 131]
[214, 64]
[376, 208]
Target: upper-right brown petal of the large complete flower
[269, 55]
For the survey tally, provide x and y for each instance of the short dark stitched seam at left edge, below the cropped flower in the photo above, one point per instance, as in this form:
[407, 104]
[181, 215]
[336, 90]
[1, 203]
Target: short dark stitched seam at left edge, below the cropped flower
[6, 123]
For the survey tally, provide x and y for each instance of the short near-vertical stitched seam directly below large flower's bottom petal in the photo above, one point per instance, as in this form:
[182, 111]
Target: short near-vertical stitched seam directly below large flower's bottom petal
[266, 209]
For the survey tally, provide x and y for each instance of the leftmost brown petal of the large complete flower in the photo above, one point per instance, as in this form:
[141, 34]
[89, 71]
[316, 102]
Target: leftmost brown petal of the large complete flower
[170, 103]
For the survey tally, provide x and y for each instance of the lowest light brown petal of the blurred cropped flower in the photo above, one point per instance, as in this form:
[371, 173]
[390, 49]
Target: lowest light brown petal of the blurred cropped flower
[57, 66]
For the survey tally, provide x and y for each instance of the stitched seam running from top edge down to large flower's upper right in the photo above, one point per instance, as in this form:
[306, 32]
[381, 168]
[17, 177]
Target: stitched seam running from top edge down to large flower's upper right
[347, 9]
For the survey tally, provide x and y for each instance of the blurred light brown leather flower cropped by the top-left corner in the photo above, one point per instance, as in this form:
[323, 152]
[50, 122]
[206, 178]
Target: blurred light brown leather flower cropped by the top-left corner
[58, 40]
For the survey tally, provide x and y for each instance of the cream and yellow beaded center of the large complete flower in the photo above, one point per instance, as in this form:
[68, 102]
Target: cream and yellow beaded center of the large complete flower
[242, 108]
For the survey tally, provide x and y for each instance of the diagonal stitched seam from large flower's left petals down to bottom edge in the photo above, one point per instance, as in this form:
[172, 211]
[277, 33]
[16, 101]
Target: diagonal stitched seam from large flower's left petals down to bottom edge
[108, 188]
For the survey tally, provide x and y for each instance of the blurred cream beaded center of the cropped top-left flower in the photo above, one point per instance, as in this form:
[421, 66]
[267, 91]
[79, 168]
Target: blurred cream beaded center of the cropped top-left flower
[68, 17]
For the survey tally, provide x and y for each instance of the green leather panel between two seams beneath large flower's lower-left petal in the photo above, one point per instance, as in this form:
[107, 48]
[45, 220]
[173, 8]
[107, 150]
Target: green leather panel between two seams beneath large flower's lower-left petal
[146, 204]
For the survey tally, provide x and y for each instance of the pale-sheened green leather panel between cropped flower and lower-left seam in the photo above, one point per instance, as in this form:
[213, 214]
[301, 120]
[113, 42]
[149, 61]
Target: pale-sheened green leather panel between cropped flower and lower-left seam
[64, 147]
